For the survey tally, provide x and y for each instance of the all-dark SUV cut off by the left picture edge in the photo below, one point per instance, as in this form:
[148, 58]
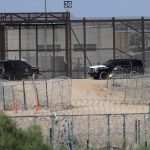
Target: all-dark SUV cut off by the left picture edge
[17, 69]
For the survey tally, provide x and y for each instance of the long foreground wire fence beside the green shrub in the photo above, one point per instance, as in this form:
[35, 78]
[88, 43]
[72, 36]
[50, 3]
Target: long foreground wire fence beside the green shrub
[122, 131]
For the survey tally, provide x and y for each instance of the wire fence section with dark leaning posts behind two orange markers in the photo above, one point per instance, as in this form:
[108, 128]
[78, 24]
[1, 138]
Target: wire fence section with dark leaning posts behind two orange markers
[52, 94]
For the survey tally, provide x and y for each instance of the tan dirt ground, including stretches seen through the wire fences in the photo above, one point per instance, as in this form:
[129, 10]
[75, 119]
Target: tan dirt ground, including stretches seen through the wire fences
[77, 101]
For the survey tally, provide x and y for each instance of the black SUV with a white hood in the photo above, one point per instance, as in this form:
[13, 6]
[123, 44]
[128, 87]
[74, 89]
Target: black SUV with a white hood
[126, 66]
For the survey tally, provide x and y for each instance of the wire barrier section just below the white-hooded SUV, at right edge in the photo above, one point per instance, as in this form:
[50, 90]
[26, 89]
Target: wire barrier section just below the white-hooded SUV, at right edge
[136, 89]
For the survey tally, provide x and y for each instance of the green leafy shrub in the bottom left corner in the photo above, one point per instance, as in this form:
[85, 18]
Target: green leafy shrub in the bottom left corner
[13, 138]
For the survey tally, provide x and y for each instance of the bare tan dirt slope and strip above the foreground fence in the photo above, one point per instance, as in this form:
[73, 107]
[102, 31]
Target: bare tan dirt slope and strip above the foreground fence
[88, 96]
